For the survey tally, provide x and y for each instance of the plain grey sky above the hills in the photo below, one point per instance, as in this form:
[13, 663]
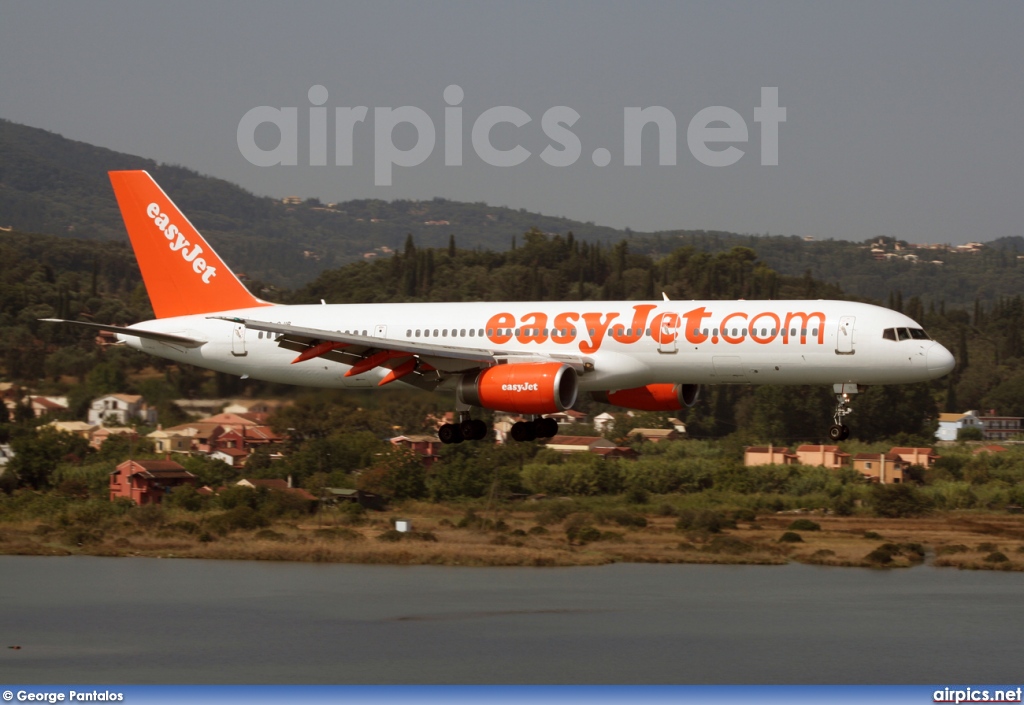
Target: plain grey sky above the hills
[901, 119]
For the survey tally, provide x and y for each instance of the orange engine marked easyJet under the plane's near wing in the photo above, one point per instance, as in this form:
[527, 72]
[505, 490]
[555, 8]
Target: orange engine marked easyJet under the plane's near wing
[522, 388]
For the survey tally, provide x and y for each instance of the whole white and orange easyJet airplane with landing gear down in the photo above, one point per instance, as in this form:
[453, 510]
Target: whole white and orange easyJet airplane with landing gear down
[528, 358]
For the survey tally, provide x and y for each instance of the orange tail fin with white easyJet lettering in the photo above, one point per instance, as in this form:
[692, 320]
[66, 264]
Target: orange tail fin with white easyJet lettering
[183, 274]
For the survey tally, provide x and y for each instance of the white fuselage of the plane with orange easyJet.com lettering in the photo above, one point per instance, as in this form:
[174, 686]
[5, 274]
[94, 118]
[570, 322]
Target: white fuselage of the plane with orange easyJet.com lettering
[629, 344]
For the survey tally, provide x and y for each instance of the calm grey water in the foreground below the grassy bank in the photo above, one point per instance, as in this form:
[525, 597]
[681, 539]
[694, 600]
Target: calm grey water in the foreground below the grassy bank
[156, 621]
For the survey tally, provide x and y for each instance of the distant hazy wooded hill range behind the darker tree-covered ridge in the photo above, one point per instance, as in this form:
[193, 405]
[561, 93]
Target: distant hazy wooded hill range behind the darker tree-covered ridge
[60, 187]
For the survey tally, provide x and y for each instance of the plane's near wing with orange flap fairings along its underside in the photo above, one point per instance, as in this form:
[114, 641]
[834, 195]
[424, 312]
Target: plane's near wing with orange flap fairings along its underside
[430, 361]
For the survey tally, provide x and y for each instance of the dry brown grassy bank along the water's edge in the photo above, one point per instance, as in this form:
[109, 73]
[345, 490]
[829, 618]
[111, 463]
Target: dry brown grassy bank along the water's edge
[547, 533]
